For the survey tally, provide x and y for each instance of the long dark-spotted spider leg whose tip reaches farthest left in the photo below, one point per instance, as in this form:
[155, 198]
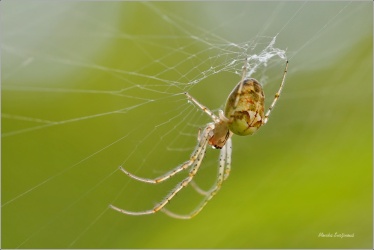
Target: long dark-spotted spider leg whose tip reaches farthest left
[195, 167]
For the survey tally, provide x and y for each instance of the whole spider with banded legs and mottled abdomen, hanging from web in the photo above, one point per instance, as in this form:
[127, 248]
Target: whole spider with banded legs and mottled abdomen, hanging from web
[243, 115]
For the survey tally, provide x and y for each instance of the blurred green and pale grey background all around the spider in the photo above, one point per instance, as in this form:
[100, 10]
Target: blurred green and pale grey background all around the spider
[89, 86]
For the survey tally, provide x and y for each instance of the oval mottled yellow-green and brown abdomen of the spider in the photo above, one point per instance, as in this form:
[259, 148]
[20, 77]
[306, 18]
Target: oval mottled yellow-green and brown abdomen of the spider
[245, 107]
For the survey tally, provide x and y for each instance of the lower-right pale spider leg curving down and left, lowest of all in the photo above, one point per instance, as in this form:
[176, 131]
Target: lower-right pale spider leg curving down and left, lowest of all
[223, 172]
